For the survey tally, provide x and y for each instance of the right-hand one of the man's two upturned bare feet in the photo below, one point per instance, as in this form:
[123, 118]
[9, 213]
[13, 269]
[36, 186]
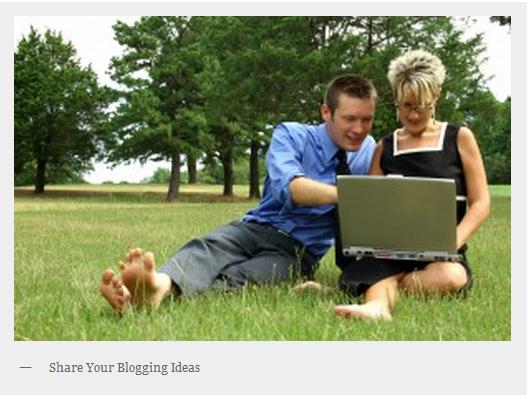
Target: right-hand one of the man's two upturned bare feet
[146, 286]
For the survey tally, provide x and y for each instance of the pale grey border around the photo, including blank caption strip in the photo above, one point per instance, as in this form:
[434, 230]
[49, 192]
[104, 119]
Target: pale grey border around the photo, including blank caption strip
[275, 367]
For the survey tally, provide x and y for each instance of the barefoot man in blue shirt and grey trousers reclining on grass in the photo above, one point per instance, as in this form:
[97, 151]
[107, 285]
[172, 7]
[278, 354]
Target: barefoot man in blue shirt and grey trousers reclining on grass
[293, 225]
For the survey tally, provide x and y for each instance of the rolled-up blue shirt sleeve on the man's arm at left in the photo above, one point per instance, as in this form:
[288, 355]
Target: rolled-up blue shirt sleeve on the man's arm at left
[284, 162]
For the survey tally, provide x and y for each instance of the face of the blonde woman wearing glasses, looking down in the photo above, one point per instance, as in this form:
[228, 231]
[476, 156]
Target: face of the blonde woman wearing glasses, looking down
[414, 112]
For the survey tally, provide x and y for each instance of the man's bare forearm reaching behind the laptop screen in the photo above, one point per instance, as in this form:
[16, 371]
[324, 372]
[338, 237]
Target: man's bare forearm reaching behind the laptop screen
[308, 192]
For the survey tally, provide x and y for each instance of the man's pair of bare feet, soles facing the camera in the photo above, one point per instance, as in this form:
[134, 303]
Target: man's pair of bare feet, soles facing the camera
[140, 285]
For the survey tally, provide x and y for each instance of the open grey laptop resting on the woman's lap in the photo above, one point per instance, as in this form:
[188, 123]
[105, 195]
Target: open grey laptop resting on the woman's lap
[395, 217]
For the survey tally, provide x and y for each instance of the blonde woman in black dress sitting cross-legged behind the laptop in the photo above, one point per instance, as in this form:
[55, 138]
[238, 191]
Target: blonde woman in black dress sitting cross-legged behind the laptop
[422, 147]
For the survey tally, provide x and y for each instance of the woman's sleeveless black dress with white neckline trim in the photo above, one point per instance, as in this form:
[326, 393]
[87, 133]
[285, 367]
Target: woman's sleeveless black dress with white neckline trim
[442, 161]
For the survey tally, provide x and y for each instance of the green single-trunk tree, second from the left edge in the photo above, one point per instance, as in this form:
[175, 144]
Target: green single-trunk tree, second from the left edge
[158, 113]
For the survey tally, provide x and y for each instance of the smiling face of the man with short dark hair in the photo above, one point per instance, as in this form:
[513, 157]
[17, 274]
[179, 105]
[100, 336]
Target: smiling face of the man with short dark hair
[351, 122]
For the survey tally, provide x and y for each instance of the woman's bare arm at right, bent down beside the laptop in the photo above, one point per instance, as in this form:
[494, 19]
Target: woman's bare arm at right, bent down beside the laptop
[476, 184]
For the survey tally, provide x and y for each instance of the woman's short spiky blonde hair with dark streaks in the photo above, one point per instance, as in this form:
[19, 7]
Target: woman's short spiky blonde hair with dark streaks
[417, 72]
